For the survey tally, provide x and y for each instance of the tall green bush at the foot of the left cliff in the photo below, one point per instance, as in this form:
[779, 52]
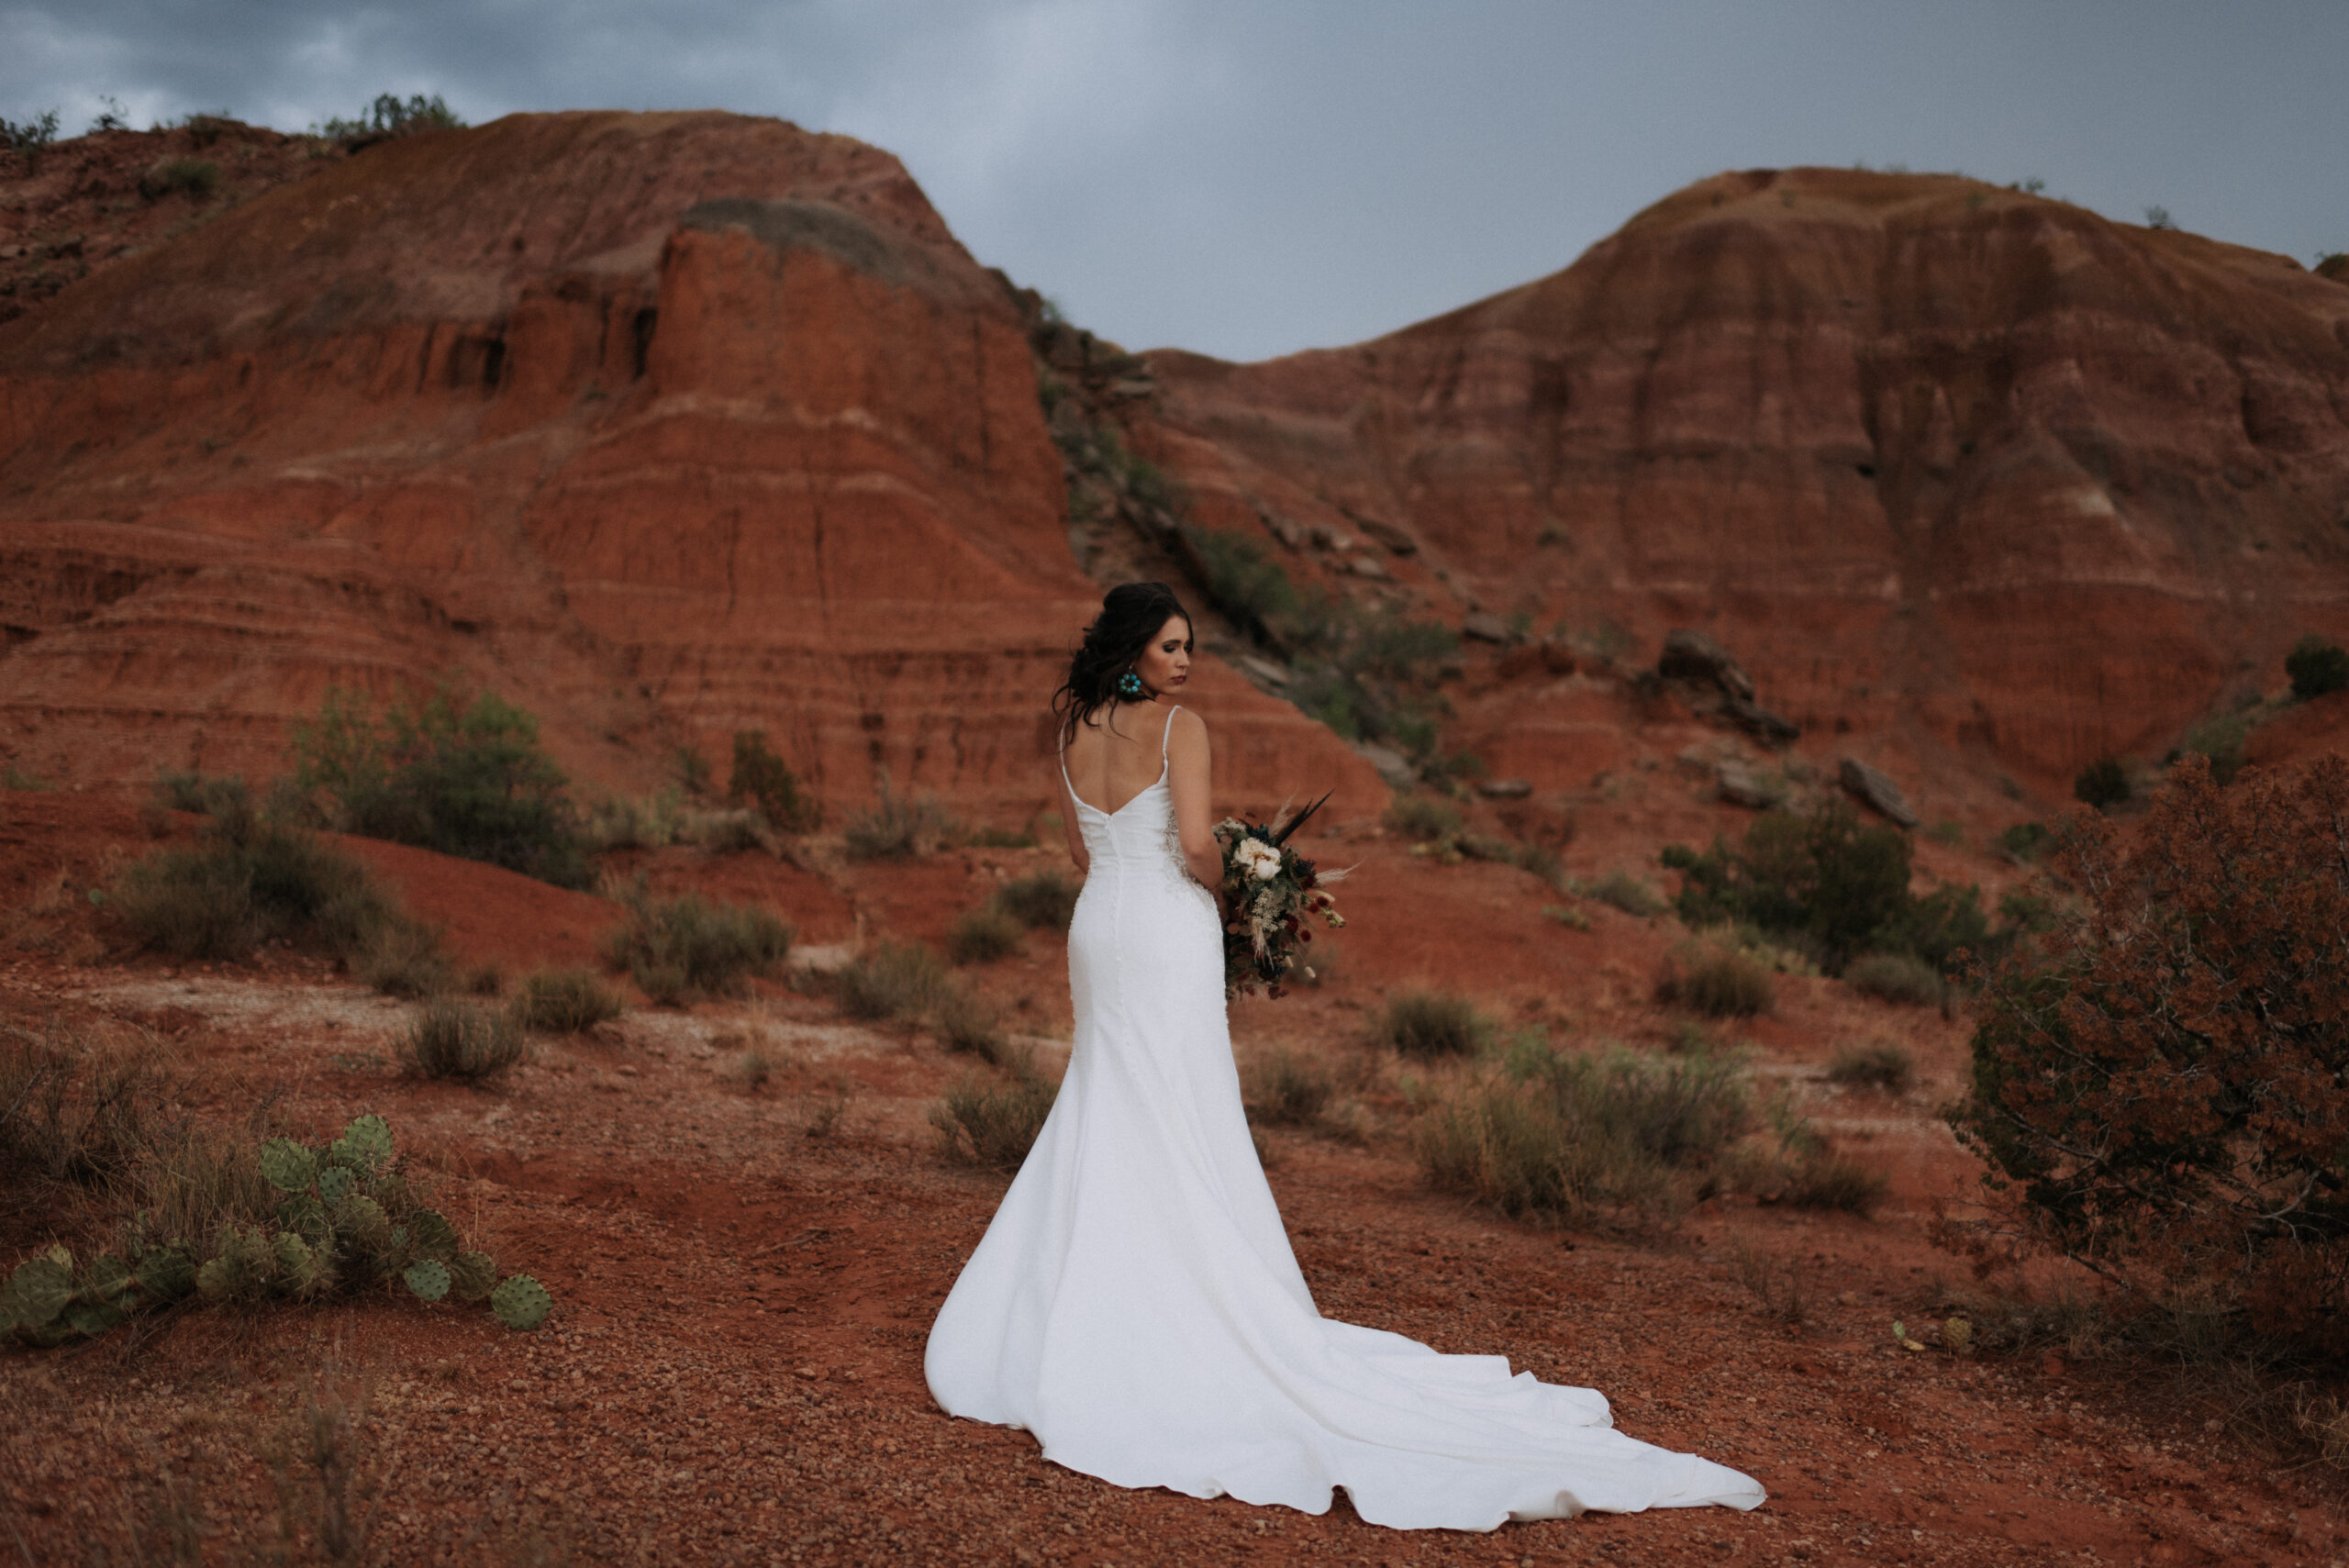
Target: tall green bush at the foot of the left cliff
[462, 778]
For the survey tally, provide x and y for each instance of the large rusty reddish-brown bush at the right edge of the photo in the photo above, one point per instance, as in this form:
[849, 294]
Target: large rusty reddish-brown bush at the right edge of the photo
[2158, 1079]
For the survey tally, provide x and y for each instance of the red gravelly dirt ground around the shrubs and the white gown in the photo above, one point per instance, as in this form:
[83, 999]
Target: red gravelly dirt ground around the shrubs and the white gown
[746, 1271]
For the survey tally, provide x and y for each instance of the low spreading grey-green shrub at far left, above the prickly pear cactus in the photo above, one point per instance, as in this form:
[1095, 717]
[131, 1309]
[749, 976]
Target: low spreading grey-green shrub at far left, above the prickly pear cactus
[250, 881]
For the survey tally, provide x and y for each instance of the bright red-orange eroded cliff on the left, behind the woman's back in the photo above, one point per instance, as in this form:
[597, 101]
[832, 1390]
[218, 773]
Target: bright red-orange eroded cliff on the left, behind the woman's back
[661, 426]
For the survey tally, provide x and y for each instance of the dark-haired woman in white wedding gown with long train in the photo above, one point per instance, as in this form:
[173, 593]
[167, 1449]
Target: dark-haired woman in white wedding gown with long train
[1136, 1302]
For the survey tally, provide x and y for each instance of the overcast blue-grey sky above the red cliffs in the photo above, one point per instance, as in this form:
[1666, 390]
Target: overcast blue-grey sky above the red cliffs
[1256, 177]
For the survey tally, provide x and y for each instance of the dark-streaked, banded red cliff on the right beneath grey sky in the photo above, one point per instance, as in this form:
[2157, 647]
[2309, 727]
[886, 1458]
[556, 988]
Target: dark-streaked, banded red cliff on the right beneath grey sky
[1970, 480]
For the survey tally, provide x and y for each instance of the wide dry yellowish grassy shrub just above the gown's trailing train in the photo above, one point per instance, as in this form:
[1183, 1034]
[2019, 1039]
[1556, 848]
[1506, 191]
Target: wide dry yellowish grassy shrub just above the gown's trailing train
[1575, 1137]
